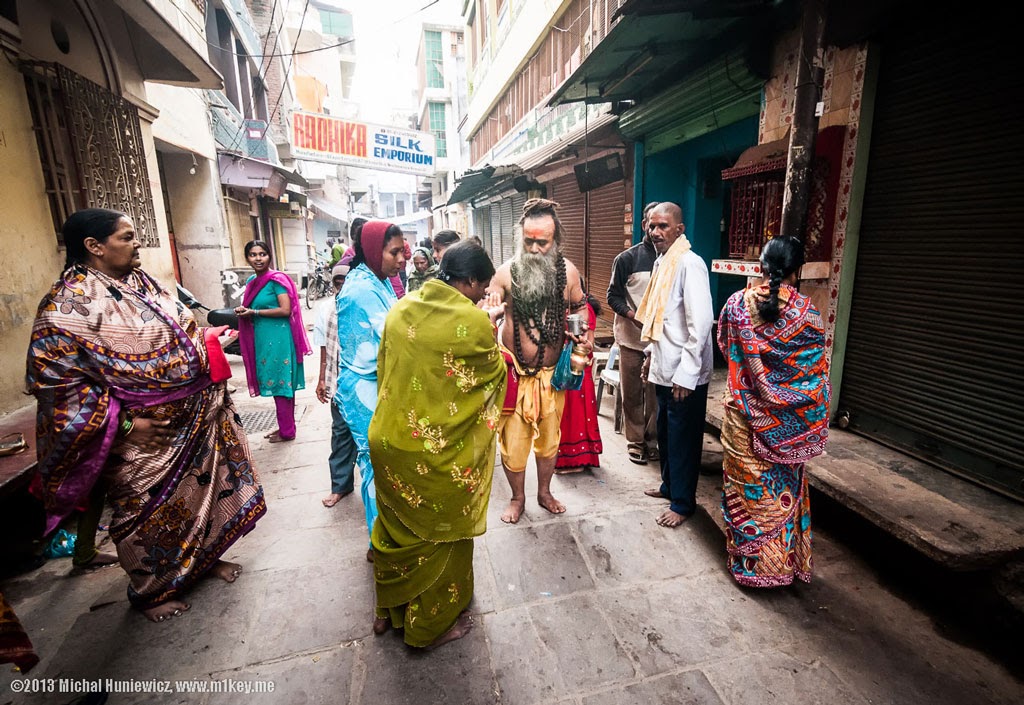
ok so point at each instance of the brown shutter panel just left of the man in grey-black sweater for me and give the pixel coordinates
(605, 239)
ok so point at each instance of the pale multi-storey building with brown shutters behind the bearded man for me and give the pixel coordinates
(521, 53)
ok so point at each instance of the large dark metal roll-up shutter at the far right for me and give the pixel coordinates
(932, 357)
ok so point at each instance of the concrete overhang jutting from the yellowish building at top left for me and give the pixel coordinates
(164, 56)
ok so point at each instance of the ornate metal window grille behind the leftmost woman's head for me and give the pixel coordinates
(91, 147)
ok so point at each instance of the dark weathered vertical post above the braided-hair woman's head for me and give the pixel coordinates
(810, 73)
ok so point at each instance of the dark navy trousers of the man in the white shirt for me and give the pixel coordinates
(680, 441)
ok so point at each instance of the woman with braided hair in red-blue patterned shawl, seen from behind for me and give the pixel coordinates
(777, 419)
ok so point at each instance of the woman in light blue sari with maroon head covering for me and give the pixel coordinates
(363, 305)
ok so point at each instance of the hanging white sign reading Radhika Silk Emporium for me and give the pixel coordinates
(327, 139)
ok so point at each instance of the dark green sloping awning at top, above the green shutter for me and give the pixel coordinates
(657, 42)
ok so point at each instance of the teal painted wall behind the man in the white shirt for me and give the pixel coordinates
(691, 176)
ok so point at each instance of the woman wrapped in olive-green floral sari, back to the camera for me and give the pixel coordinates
(433, 443)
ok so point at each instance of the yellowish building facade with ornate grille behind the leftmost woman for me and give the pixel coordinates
(79, 129)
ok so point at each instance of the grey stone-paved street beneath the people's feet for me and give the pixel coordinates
(599, 607)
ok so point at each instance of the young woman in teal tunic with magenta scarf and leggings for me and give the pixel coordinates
(273, 339)
